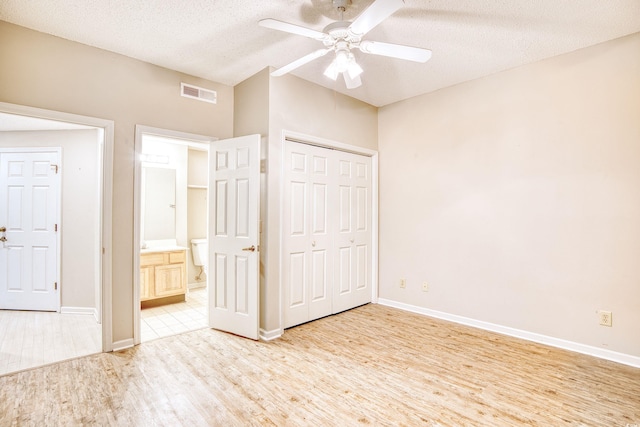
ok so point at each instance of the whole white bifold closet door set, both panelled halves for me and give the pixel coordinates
(327, 232)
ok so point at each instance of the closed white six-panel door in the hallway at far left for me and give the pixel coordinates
(29, 213)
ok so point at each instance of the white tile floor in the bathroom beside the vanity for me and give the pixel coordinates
(171, 319)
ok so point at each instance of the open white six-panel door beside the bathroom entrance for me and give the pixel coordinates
(234, 214)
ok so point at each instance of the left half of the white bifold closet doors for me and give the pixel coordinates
(307, 223)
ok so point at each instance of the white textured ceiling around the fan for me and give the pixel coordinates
(220, 40)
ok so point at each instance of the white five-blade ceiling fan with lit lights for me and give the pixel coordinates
(342, 37)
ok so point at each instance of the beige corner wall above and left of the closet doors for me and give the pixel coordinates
(270, 105)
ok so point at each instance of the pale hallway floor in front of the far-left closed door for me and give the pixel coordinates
(36, 338)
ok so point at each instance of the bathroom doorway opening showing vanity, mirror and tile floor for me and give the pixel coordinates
(171, 184)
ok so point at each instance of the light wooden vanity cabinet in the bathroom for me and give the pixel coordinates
(163, 277)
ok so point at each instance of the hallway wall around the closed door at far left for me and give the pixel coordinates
(80, 244)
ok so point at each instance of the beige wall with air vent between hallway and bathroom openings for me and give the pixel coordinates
(42, 71)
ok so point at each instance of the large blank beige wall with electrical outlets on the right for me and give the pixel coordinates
(516, 197)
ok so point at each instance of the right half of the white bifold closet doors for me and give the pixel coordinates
(353, 253)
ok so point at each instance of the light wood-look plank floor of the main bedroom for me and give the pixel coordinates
(373, 365)
